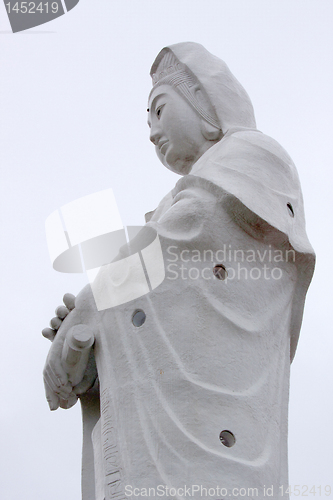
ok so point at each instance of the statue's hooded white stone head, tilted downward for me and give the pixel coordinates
(194, 101)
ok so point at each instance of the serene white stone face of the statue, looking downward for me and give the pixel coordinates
(176, 130)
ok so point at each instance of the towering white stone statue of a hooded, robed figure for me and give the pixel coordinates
(193, 377)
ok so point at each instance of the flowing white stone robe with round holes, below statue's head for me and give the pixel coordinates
(212, 354)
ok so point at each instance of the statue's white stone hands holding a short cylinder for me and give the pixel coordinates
(63, 381)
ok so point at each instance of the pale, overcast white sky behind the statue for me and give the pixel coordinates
(73, 122)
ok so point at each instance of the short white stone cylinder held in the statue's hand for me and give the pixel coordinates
(75, 353)
